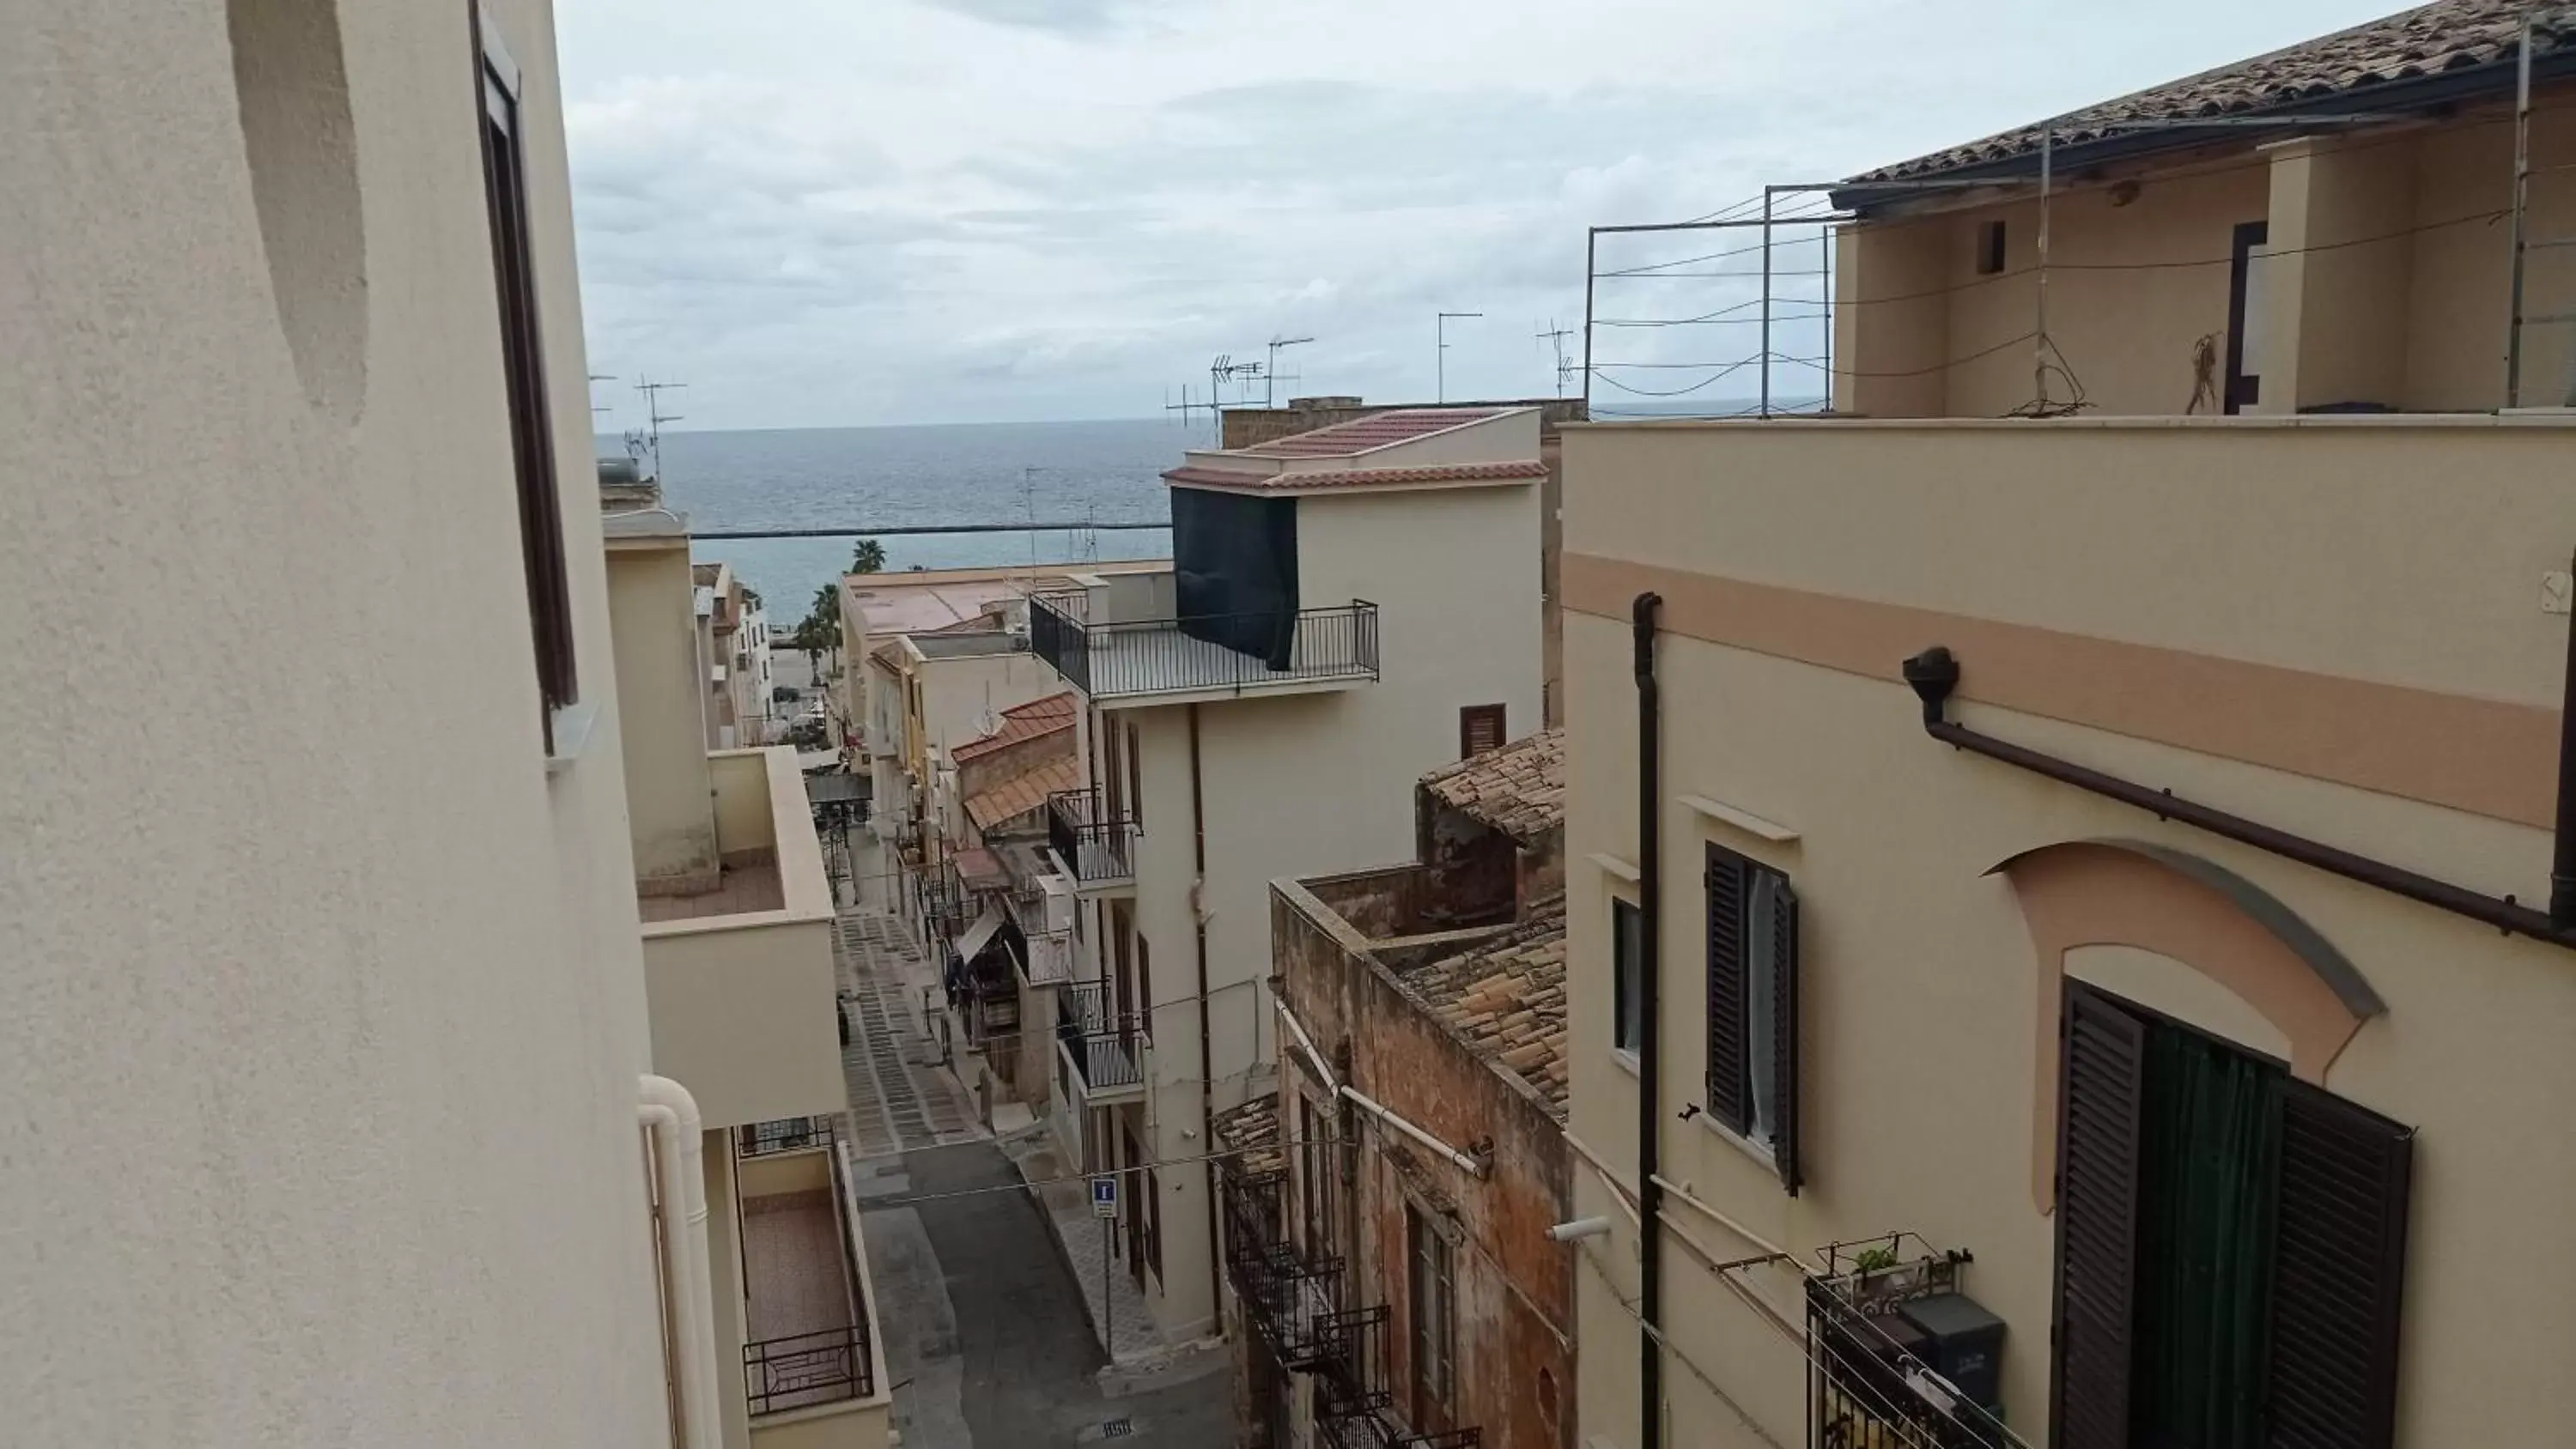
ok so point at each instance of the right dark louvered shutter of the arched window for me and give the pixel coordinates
(2338, 1273)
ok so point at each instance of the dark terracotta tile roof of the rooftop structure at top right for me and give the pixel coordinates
(2430, 40)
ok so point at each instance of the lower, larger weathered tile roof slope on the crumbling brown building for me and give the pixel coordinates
(1508, 1000)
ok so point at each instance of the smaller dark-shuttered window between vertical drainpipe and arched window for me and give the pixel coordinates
(1753, 1008)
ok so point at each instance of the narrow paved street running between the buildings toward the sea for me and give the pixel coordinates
(985, 1329)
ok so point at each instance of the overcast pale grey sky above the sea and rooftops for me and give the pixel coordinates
(849, 212)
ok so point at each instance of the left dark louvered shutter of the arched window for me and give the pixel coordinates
(2103, 1075)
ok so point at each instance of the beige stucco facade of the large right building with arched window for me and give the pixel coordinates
(2397, 555)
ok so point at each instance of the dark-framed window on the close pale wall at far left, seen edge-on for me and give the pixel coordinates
(524, 382)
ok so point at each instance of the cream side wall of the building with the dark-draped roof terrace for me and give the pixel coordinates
(1315, 784)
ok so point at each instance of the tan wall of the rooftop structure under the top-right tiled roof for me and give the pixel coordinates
(2387, 279)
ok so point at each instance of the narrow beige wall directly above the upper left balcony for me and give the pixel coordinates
(661, 701)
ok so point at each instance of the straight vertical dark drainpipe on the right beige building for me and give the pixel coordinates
(1650, 907)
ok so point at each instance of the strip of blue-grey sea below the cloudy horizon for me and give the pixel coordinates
(859, 477)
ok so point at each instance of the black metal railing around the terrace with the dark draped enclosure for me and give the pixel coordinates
(1204, 652)
